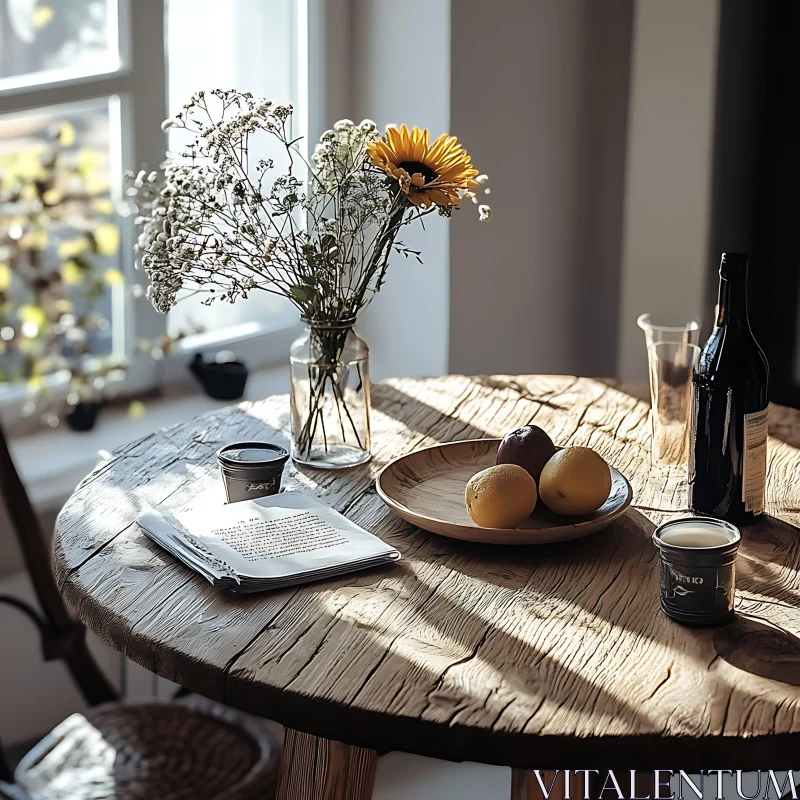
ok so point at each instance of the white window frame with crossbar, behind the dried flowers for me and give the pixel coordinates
(140, 84)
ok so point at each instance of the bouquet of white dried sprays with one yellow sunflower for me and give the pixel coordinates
(219, 223)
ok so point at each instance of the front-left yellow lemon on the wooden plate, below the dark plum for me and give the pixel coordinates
(501, 496)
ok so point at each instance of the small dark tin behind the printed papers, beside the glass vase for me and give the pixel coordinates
(251, 469)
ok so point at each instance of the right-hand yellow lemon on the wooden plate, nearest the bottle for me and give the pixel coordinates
(576, 480)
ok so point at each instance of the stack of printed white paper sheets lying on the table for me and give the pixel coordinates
(263, 544)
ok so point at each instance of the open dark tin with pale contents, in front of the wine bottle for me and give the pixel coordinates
(698, 583)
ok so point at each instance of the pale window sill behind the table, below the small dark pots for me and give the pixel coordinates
(52, 462)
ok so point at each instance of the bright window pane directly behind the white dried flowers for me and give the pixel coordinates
(253, 47)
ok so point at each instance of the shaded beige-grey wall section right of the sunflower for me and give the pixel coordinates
(540, 96)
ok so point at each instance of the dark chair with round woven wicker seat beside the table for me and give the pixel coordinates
(145, 750)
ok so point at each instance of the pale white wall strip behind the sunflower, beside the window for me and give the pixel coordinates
(401, 73)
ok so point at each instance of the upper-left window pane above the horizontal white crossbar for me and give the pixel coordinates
(37, 37)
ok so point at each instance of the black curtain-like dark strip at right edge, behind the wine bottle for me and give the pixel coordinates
(755, 200)
